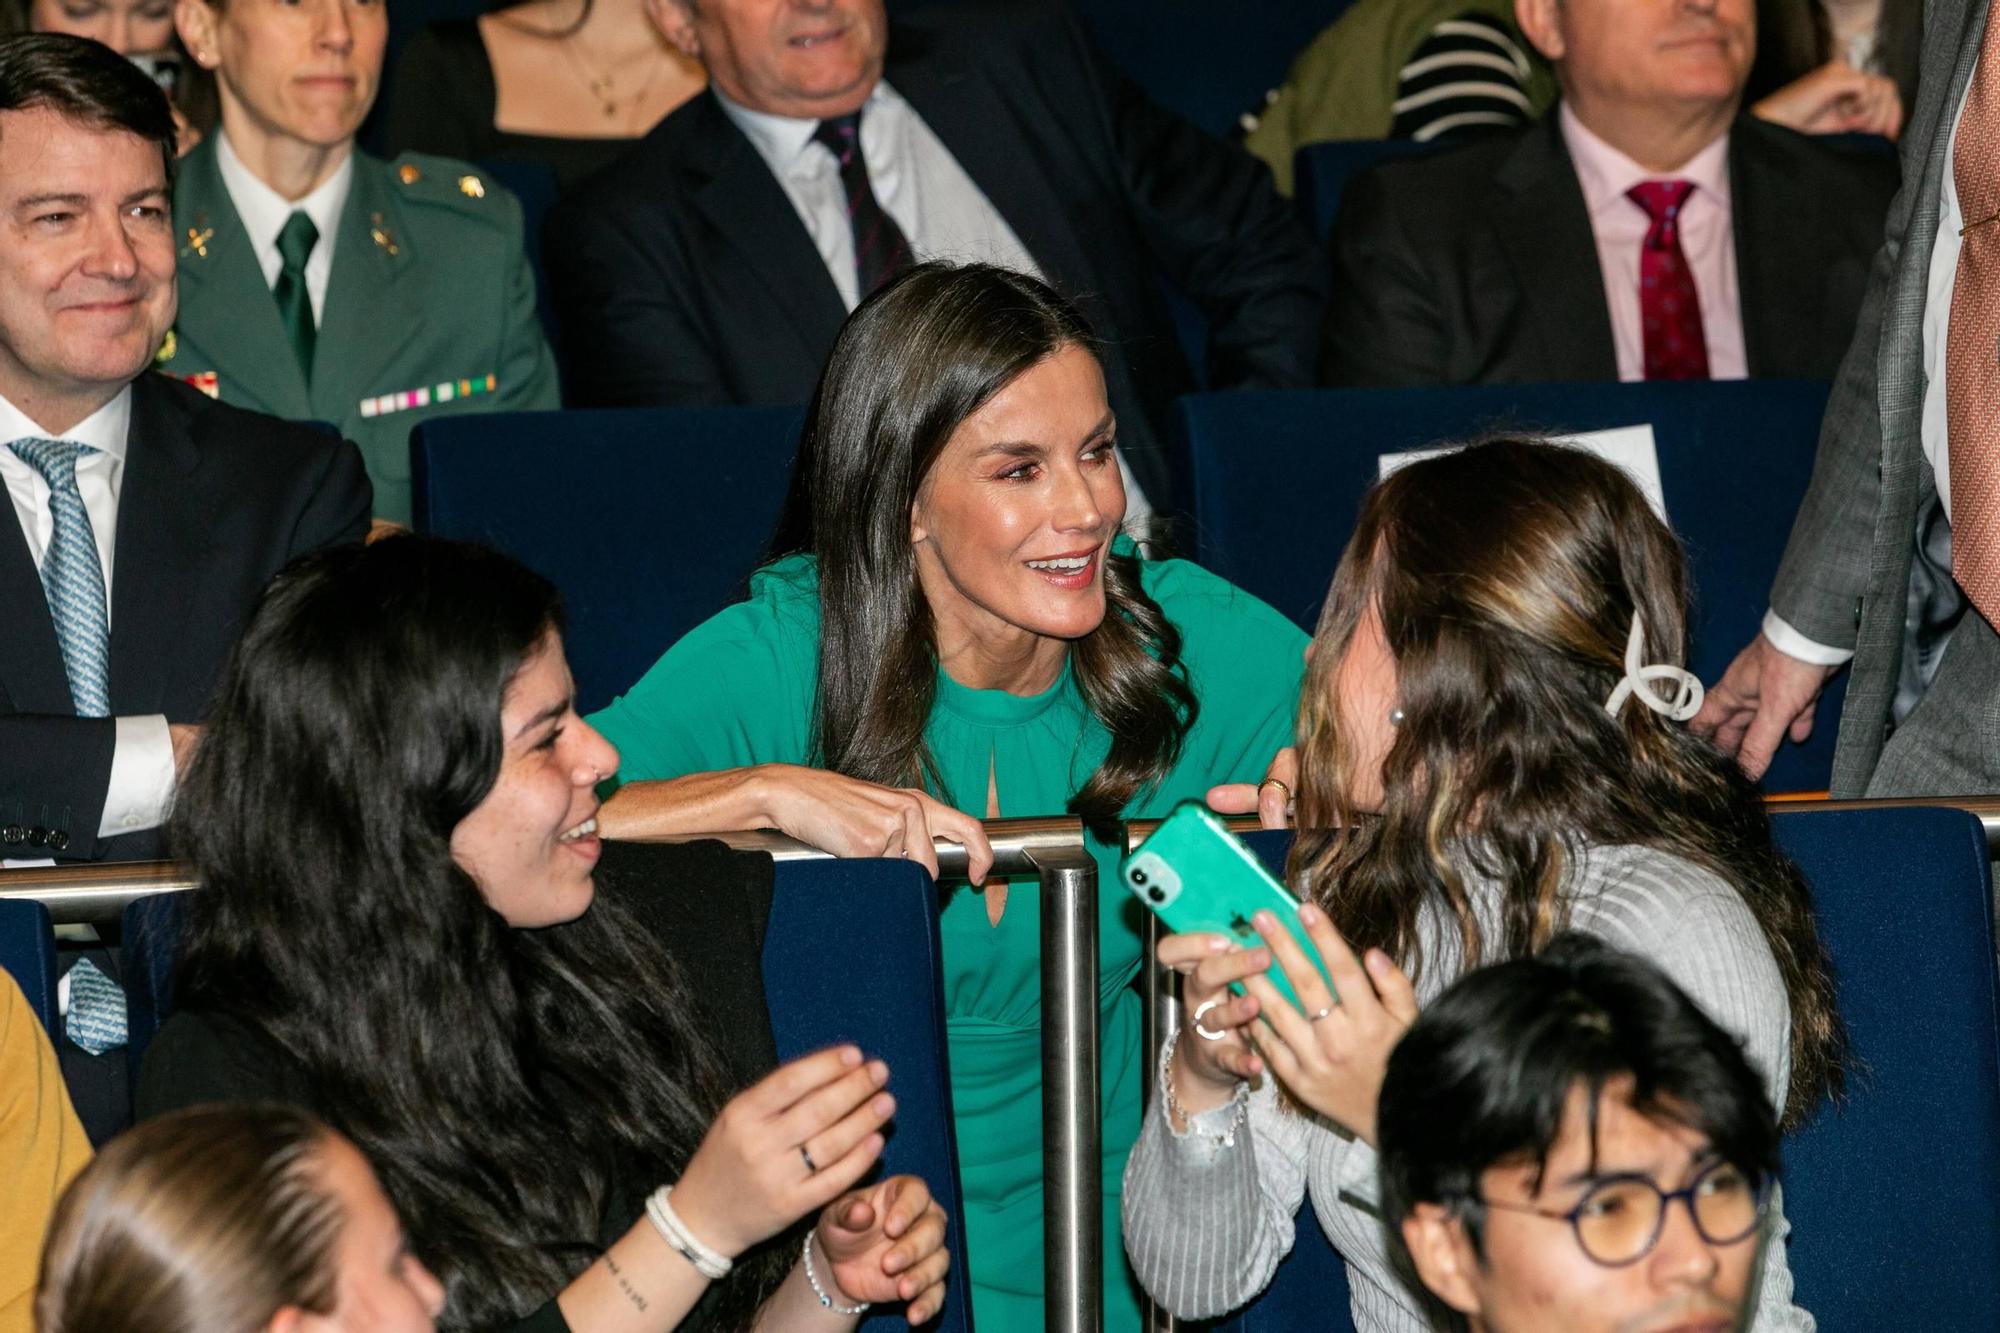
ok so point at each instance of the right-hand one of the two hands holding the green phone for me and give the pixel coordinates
(1333, 1056)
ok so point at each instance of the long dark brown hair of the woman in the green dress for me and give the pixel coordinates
(913, 363)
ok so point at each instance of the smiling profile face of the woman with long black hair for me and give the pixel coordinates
(533, 844)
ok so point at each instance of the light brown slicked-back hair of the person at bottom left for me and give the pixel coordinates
(207, 1220)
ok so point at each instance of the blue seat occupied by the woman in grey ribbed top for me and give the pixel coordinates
(1893, 1194)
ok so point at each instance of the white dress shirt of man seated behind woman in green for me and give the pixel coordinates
(943, 213)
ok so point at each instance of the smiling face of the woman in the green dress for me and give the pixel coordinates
(1015, 517)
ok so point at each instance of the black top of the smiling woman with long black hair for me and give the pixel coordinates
(703, 902)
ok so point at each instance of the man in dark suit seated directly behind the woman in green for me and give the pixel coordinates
(719, 259)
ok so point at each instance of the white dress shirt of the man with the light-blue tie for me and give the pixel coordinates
(143, 758)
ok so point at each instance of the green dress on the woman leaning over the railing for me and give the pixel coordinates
(739, 692)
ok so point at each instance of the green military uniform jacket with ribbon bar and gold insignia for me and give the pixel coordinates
(429, 309)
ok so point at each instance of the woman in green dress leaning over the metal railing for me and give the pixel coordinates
(969, 637)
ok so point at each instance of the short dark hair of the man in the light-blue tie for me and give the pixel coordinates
(87, 83)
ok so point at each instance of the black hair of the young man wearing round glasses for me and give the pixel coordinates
(1483, 1076)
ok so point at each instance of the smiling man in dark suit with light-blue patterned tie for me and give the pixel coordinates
(143, 517)
